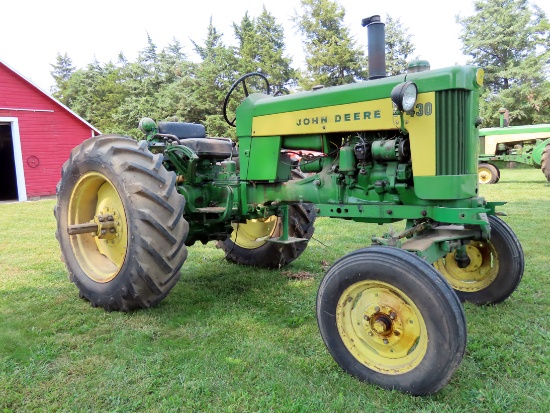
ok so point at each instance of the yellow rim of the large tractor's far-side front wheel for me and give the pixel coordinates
(481, 271)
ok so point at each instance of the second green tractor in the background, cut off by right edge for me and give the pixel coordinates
(527, 144)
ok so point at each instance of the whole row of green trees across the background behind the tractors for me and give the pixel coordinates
(508, 38)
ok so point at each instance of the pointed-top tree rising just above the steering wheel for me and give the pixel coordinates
(261, 49)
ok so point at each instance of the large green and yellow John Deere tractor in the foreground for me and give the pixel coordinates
(389, 149)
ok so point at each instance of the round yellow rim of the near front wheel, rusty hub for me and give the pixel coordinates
(381, 327)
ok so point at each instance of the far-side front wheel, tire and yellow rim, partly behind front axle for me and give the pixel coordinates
(495, 268)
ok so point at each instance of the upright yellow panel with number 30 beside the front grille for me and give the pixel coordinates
(421, 128)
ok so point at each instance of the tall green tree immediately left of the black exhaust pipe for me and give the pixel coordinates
(331, 54)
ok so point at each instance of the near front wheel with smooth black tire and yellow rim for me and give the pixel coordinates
(387, 317)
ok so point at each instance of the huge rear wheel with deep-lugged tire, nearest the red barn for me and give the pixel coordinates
(134, 262)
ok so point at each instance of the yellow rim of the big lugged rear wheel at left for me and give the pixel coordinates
(93, 198)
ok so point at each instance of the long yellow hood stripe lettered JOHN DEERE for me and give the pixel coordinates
(369, 115)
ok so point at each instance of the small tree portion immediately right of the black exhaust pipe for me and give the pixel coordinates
(398, 47)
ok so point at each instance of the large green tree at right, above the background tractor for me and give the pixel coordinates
(510, 40)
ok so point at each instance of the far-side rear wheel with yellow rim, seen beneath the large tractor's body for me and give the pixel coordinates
(248, 243)
